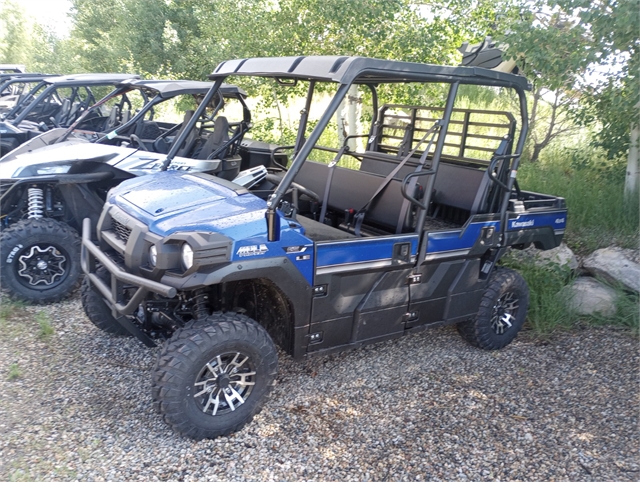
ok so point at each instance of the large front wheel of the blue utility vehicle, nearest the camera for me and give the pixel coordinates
(213, 376)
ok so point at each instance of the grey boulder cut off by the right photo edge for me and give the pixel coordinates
(615, 265)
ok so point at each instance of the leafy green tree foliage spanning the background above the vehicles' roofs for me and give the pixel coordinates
(557, 43)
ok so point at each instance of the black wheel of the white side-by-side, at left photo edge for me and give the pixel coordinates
(39, 260)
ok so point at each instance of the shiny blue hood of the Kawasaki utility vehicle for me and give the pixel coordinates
(170, 202)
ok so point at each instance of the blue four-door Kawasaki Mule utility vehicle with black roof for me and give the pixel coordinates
(355, 236)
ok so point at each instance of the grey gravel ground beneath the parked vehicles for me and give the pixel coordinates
(76, 405)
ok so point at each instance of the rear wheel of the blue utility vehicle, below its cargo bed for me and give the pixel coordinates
(502, 312)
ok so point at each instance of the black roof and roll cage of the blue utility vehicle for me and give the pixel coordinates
(347, 71)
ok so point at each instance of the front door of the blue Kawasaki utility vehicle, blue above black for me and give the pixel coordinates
(361, 289)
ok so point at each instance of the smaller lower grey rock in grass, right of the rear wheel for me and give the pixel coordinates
(587, 296)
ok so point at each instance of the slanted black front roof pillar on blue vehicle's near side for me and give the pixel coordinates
(299, 159)
